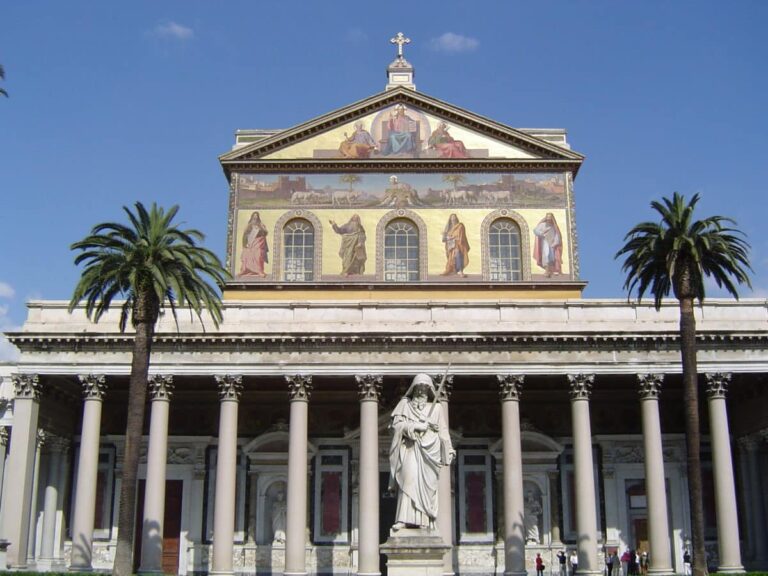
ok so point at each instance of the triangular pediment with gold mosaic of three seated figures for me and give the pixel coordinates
(399, 125)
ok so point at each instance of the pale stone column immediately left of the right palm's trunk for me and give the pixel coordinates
(655, 483)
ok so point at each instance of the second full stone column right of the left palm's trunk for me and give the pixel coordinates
(230, 389)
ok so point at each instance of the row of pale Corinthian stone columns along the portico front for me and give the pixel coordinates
(17, 500)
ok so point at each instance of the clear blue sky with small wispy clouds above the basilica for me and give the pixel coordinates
(116, 102)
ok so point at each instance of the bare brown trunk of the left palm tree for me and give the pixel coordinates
(137, 397)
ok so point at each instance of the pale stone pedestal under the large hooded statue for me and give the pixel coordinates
(414, 552)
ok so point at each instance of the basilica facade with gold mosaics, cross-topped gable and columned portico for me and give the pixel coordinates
(396, 236)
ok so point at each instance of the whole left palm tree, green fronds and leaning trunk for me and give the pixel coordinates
(150, 263)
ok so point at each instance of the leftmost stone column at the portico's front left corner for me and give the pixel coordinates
(21, 462)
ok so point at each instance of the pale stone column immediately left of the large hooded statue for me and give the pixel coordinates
(368, 523)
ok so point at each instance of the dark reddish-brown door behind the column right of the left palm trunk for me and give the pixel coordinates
(171, 525)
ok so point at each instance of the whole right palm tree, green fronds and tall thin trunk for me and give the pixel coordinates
(677, 254)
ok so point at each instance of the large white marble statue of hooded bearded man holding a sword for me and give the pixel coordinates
(421, 444)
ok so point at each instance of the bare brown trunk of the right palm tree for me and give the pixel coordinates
(692, 433)
